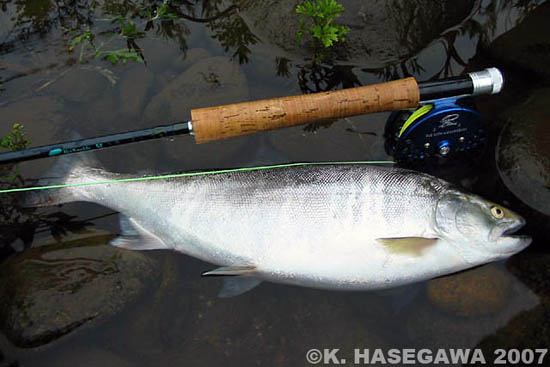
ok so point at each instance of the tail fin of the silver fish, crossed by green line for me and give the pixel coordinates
(66, 170)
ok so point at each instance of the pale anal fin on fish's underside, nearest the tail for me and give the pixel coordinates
(135, 237)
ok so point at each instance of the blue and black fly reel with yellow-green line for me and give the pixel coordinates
(442, 131)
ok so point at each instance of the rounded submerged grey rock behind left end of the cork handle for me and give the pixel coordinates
(208, 82)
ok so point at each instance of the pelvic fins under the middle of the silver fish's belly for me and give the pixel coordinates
(238, 279)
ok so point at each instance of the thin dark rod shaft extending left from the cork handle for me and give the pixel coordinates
(75, 146)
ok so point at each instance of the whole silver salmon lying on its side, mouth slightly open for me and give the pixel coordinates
(330, 226)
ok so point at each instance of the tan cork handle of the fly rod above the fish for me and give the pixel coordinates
(222, 122)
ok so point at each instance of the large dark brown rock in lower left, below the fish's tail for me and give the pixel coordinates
(50, 291)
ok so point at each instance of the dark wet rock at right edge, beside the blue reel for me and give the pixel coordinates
(523, 151)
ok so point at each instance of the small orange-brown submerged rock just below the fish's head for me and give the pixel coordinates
(477, 292)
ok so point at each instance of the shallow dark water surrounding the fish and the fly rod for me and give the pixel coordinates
(54, 92)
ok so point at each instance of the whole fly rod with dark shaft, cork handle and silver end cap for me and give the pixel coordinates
(222, 122)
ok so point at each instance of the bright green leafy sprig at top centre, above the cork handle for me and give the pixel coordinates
(323, 30)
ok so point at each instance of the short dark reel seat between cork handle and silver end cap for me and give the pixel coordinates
(451, 87)
